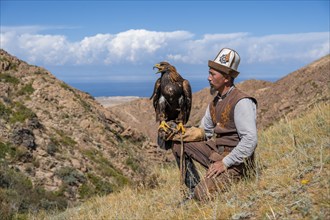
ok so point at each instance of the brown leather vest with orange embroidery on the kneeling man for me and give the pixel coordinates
(222, 113)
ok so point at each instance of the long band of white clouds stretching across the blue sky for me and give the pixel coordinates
(143, 46)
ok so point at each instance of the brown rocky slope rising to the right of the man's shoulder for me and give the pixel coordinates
(295, 93)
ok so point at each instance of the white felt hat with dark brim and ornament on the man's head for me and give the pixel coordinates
(226, 61)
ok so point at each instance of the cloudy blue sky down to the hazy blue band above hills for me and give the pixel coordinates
(87, 43)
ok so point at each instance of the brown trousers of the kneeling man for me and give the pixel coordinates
(205, 153)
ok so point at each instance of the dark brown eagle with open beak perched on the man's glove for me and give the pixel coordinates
(171, 97)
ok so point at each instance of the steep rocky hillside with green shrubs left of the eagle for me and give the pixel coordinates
(58, 144)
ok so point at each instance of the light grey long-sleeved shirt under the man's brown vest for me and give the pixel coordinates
(245, 116)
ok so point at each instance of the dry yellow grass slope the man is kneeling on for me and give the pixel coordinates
(293, 160)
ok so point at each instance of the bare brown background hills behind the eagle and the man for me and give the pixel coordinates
(287, 97)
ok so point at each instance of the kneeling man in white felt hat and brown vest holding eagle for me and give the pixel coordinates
(230, 130)
